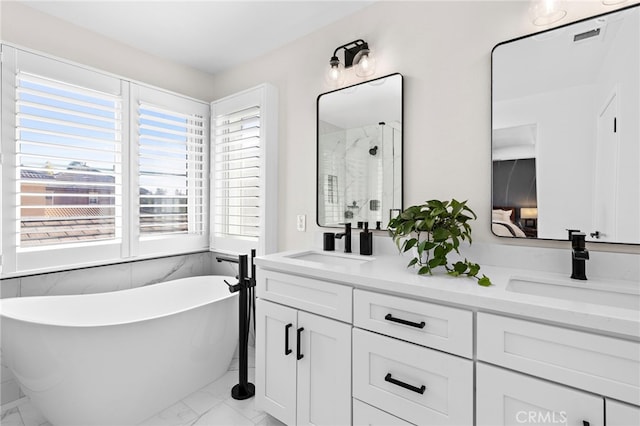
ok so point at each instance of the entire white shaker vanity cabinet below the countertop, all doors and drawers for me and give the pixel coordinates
(327, 353)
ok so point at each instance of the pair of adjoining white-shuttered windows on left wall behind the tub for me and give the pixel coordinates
(97, 169)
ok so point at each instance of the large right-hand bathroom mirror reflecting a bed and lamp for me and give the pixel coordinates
(566, 133)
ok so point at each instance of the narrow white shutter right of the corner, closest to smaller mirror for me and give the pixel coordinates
(244, 171)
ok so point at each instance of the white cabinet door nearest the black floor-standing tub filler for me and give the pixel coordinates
(276, 360)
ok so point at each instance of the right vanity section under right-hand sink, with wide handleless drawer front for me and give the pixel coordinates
(575, 374)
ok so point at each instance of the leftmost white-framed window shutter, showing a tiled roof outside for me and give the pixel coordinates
(62, 157)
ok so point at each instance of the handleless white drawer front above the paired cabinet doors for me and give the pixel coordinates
(320, 297)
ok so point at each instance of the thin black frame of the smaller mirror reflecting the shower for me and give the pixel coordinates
(401, 208)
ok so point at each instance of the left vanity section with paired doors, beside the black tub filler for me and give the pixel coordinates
(303, 360)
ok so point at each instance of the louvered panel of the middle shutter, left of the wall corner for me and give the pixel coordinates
(171, 171)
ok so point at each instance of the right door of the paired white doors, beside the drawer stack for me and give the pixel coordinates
(324, 371)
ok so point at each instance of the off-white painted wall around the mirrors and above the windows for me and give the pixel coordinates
(443, 48)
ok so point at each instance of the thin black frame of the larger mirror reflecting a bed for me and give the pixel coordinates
(589, 18)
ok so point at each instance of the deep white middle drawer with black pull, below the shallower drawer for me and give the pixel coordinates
(390, 374)
